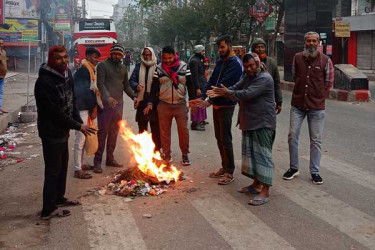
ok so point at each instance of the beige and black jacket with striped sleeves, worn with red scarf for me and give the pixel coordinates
(162, 86)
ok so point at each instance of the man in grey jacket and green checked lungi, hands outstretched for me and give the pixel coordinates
(257, 120)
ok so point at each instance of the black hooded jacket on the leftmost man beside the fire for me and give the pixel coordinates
(56, 105)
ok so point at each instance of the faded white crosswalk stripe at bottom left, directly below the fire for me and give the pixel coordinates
(112, 226)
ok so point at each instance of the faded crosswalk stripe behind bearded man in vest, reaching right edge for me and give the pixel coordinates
(352, 173)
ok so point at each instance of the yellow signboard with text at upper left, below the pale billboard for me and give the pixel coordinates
(19, 29)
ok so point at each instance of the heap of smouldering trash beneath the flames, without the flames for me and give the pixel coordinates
(132, 182)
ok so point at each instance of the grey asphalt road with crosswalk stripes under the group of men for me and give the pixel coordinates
(199, 214)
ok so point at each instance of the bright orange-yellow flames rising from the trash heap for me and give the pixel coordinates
(148, 160)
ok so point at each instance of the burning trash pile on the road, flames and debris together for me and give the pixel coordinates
(150, 175)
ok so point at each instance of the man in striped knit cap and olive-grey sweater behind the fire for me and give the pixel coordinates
(112, 80)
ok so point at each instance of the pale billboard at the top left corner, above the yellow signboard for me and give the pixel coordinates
(22, 8)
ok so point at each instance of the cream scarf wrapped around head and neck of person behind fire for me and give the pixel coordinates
(142, 73)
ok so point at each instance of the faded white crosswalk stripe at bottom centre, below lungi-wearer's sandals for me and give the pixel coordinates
(247, 231)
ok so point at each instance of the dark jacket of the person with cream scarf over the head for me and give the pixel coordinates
(134, 81)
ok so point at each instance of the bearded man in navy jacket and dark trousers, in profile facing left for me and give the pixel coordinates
(227, 72)
